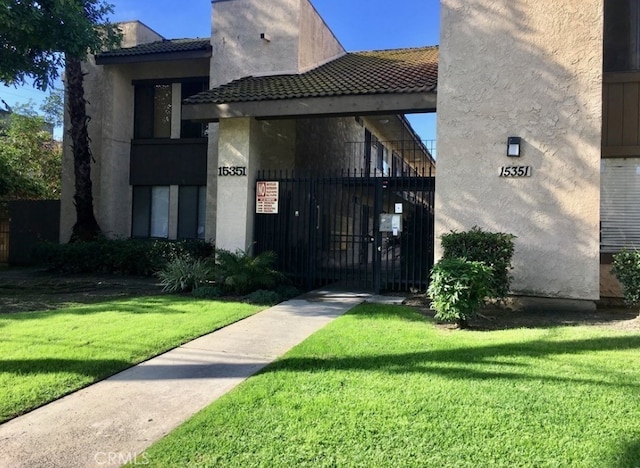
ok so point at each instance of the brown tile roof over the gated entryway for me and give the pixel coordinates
(404, 71)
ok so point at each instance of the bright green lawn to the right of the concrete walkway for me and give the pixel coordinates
(383, 387)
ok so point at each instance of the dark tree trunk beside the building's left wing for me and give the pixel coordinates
(86, 227)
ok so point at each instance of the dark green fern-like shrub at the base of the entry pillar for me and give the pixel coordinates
(241, 273)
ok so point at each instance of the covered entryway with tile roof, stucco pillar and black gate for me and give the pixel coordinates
(370, 226)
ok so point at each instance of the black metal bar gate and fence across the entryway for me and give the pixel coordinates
(372, 232)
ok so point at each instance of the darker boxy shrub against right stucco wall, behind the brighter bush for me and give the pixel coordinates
(494, 249)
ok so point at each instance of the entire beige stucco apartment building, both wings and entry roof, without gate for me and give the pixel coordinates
(560, 77)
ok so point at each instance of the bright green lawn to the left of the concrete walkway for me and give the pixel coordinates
(44, 355)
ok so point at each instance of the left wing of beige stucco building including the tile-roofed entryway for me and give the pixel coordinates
(180, 129)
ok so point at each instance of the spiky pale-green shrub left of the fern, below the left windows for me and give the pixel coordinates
(184, 274)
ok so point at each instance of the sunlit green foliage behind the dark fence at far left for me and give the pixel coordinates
(30, 160)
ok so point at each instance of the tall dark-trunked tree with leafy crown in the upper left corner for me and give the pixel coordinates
(36, 38)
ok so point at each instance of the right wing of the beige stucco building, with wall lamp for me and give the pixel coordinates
(564, 78)
